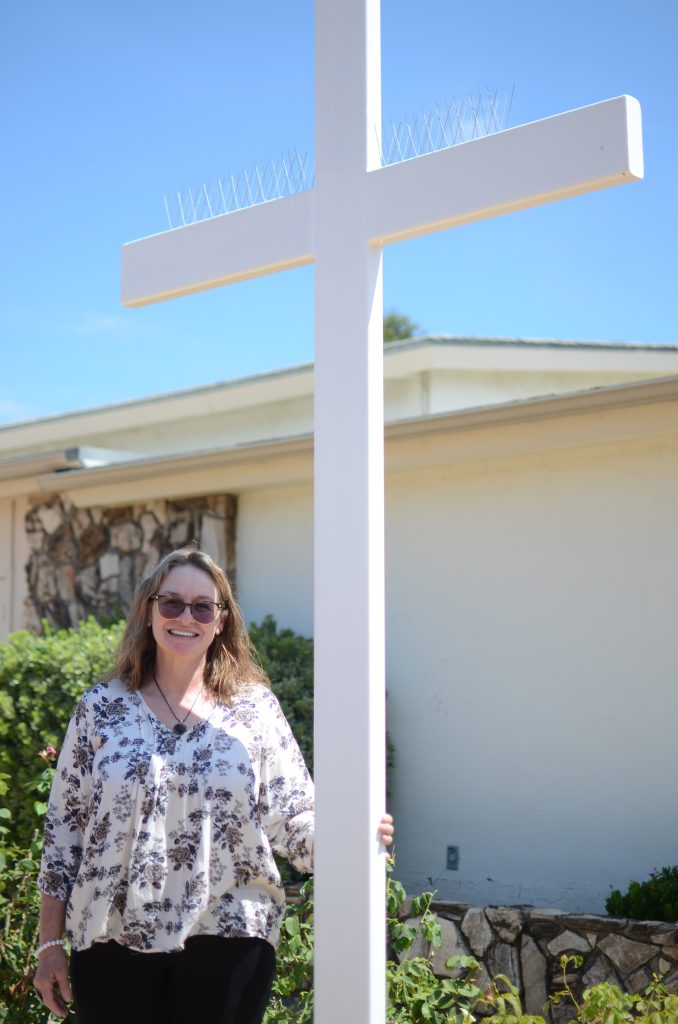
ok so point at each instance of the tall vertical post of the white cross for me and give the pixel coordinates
(350, 747)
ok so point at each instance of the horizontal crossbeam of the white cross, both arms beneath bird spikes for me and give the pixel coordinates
(558, 158)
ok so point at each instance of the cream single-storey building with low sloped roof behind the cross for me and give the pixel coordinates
(532, 490)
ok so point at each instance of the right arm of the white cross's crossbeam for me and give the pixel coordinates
(561, 157)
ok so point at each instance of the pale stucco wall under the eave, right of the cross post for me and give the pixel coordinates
(532, 664)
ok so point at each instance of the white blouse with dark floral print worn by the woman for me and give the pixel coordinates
(152, 838)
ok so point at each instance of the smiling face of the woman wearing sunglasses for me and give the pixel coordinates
(183, 637)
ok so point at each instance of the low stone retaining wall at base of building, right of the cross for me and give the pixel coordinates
(526, 944)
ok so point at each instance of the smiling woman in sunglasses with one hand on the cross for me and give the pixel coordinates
(178, 781)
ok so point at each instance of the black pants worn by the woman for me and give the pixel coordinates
(211, 982)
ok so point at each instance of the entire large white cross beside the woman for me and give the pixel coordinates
(355, 209)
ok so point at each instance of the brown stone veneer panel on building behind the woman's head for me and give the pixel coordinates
(89, 562)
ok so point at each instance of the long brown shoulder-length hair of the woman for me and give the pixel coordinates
(232, 661)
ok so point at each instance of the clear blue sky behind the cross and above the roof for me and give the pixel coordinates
(107, 107)
